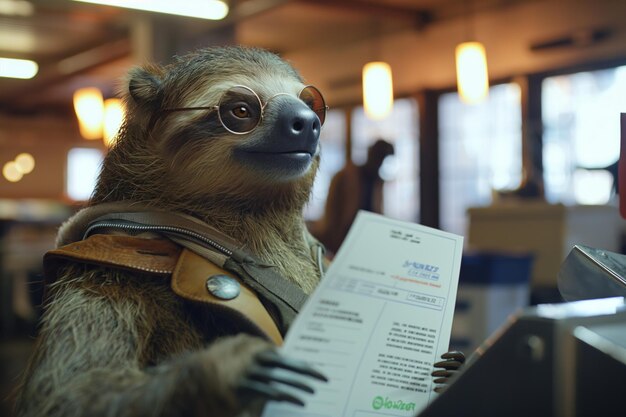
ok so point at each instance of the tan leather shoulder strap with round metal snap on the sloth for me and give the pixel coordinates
(158, 256)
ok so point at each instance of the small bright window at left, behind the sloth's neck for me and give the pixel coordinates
(83, 167)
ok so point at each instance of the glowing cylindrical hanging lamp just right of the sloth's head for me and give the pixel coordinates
(377, 90)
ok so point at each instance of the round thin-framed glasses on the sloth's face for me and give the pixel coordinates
(240, 110)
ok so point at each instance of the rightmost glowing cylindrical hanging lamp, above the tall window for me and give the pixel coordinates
(471, 72)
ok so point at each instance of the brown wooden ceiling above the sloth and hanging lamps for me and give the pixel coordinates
(78, 44)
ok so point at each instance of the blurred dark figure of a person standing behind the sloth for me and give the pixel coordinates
(353, 188)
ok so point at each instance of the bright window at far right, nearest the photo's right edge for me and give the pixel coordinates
(581, 114)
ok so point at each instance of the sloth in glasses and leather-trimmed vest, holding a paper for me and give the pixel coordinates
(223, 142)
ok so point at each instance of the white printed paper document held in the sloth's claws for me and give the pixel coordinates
(378, 321)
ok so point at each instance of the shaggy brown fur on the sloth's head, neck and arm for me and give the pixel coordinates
(113, 343)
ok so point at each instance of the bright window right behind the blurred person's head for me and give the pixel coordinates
(401, 128)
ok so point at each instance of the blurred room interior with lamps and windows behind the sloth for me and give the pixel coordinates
(524, 170)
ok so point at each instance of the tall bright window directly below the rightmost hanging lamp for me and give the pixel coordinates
(480, 150)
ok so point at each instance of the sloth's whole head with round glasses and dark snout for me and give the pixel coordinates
(233, 119)
